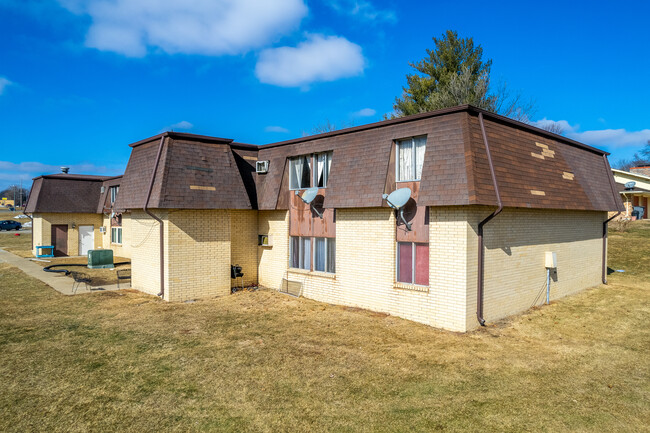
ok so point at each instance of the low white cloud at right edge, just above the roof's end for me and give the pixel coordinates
(610, 138)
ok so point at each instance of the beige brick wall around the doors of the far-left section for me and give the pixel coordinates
(42, 229)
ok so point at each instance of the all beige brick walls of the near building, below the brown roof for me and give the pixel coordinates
(199, 252)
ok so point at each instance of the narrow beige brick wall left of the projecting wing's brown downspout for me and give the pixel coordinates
(144, 244)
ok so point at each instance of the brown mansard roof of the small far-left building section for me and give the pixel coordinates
(66, 193)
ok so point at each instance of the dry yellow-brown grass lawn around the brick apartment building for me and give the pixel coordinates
(263, 361)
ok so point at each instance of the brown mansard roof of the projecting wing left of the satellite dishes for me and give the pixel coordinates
(195, 172)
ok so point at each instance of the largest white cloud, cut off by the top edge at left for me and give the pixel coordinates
(206, 27)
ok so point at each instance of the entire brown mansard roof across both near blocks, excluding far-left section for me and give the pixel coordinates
(534, 168)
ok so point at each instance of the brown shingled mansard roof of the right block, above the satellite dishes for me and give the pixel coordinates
(534, 168)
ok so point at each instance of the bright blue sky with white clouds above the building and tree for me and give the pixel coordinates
(81, 79)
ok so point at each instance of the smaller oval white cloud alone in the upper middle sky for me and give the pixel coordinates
(320, 58)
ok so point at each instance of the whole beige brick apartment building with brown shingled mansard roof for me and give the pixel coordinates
(489, 197)
